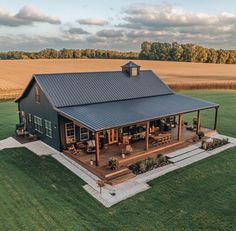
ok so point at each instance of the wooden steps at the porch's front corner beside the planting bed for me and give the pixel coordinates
(119, 176)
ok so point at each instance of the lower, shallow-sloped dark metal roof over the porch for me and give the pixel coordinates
(114, 114)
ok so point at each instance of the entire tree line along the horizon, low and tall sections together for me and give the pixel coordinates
(149, 51)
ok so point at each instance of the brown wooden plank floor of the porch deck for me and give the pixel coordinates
(139, 152)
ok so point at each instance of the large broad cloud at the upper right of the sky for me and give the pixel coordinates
(167, 16)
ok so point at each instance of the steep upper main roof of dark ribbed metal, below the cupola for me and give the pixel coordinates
(70, 89)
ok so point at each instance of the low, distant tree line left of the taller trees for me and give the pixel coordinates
(69, 54)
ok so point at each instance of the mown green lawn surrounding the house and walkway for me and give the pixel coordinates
(37, 193)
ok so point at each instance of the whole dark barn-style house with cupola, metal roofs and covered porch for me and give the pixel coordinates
(128, 114)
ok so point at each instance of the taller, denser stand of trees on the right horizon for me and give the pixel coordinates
(185, 53)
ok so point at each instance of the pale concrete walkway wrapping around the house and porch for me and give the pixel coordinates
(111, 195)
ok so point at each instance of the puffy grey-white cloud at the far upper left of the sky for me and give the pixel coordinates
(27, 15)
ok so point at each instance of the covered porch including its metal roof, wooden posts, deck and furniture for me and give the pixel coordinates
(132, 130)
